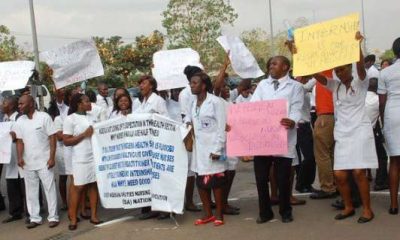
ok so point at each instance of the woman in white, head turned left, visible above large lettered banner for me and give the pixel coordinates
(151, 103)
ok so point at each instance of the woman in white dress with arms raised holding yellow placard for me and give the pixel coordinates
(354, 140)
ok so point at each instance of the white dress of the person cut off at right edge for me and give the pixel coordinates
(389, 83)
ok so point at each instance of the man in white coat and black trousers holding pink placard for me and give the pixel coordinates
(278, 86)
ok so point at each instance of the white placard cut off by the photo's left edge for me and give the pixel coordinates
(15, 74)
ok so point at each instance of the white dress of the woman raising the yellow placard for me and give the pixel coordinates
(354, 138)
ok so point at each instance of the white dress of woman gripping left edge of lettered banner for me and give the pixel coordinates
(83, 164)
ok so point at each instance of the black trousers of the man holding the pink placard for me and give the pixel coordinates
(282, 167)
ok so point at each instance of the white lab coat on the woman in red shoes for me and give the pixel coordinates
(209, 121)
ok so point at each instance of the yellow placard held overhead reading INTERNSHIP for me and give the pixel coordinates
(326, 45)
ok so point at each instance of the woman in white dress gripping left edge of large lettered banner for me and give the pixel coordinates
(77, 132)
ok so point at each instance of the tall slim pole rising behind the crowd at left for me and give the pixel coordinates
(36, 53)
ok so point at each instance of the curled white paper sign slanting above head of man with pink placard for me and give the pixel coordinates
(242, 60)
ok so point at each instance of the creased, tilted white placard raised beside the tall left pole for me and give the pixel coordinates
(74, 63)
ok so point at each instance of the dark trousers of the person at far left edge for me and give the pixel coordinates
(16, 196)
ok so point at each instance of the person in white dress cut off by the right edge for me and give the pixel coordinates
(389, 104)
